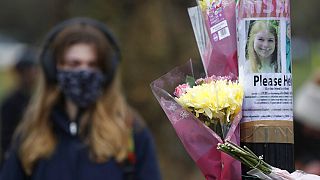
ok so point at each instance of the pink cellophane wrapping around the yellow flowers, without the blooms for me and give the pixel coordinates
(198, 139)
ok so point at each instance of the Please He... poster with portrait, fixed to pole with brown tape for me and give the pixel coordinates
(264, 58)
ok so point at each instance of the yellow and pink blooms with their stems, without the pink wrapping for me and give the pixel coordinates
(215, 101)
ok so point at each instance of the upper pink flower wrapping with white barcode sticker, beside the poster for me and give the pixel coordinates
(214, 25)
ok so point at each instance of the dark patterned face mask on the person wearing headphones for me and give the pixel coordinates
(82, 87)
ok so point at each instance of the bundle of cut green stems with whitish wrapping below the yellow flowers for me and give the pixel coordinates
(260, 168)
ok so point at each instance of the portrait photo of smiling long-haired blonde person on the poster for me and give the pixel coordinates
(262, 46)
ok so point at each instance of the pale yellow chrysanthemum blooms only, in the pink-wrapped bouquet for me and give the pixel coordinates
(219, 99)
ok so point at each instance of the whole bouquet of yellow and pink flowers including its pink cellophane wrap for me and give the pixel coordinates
(203, 112)
